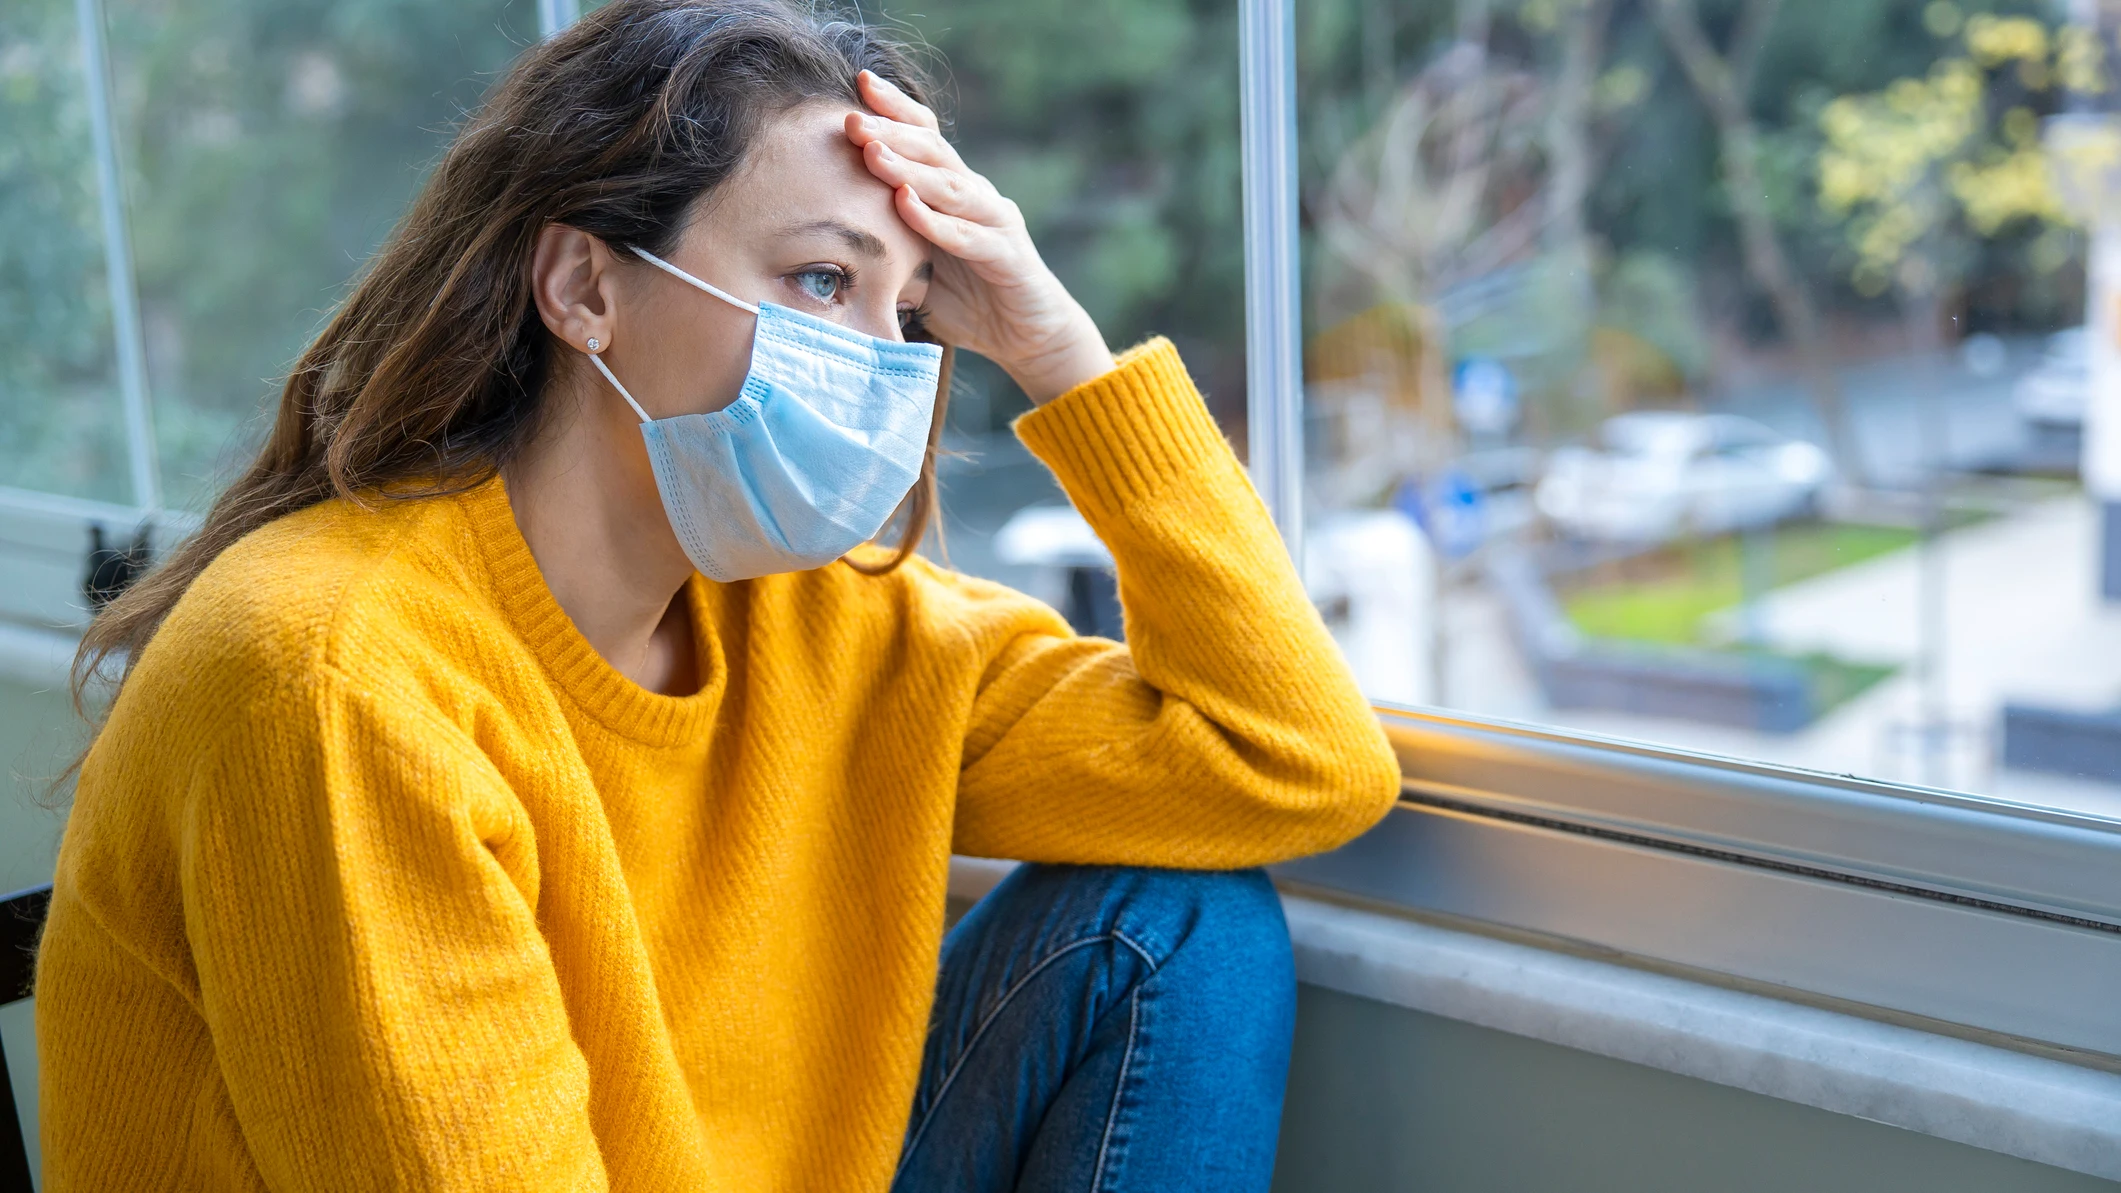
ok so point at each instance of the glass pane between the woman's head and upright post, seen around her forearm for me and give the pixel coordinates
(1115, 128)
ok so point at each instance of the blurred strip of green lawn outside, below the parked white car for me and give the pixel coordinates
(1664, 598)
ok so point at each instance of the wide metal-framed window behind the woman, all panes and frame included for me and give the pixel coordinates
(1687, 413)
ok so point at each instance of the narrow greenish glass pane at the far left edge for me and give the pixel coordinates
(60, 428)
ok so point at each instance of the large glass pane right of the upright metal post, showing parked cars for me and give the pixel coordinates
(1719, 375)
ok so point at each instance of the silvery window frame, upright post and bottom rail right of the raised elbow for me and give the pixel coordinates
(1935, 905)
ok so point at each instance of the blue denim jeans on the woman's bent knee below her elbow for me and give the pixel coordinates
(1108, 1031)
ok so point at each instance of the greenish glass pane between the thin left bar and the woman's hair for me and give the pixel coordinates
(268, 148)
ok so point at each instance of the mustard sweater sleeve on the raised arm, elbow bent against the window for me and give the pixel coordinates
(1227, 731)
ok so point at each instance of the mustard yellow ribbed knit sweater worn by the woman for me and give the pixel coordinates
(381, 878)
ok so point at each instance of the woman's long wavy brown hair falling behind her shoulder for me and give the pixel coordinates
(434, 370)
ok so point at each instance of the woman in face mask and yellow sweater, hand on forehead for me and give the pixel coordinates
(514, 789)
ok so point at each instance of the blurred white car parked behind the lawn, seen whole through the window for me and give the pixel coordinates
(1660, 474)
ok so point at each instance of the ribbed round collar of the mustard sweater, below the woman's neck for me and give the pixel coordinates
(574, 665)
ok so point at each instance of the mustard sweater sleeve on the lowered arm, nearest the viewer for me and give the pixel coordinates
(360, 897)
